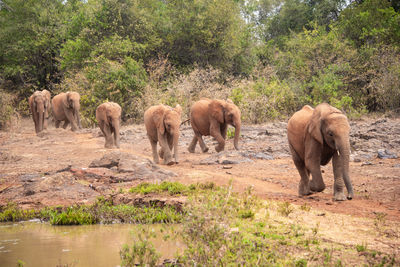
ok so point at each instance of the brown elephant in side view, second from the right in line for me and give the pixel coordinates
(211, 117)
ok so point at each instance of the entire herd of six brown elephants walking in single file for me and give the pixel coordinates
(315, 136)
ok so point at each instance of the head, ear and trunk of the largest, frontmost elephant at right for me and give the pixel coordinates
(330, 126)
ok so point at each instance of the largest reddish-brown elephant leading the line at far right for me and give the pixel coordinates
(315, 137)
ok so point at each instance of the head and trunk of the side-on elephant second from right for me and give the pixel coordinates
(226, 112)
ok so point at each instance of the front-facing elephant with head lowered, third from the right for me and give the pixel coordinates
(162, 125)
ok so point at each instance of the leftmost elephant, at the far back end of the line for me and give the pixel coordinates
(38, 106)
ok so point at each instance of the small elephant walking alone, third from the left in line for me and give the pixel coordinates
(108, 116)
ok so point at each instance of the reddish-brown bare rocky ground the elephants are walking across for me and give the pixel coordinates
(60, 167)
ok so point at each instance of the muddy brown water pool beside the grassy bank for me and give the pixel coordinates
(41, 244)
